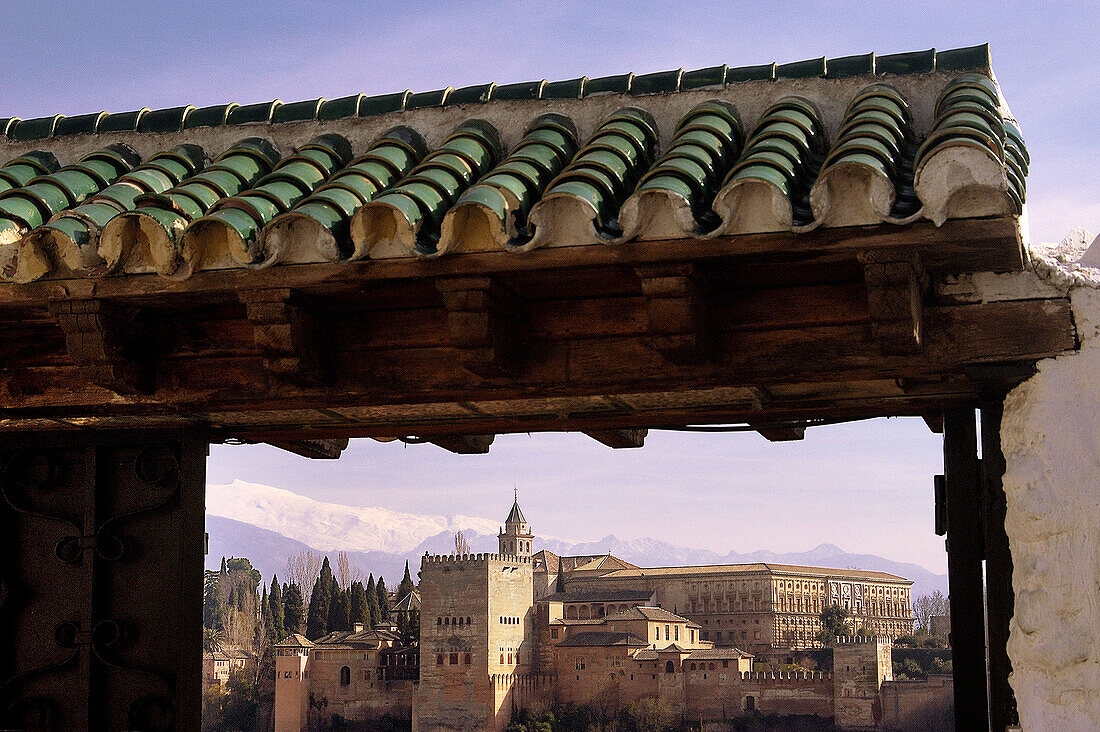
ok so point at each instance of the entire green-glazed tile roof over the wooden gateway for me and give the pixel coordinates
(720, 151)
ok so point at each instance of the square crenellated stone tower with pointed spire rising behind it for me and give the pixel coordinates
(476, 633)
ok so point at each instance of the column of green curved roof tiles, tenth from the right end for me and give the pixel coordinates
(148, 239)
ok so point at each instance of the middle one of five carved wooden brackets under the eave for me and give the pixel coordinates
(482, 323)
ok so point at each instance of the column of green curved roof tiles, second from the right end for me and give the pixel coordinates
(870, 162)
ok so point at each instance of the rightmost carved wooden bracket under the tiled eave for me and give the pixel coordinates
(896, 285)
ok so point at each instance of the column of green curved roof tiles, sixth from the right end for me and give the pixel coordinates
(493, 214)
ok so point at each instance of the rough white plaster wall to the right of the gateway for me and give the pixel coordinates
(1051, 436)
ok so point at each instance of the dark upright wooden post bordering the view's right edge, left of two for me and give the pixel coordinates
(965, 571)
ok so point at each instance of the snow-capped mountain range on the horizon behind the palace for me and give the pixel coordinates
(269, 525)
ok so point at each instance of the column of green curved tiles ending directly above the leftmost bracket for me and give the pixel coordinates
(71, 241)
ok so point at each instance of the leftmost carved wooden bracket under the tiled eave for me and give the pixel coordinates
(103, 340)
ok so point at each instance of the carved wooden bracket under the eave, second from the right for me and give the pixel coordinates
(677, 311)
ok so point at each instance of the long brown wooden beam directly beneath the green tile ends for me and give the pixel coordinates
(959, 246)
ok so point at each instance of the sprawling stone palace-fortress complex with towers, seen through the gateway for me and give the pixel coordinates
(519, 629)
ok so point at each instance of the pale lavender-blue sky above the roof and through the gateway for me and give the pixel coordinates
(866, 487)
